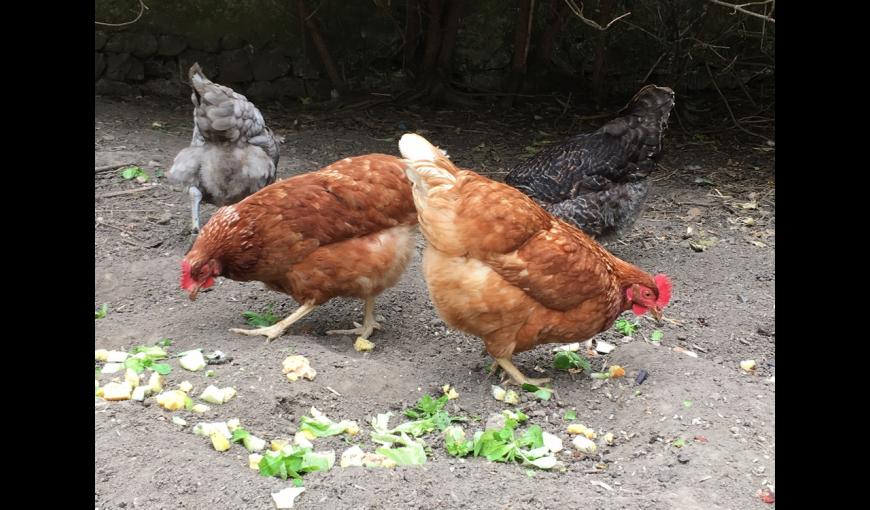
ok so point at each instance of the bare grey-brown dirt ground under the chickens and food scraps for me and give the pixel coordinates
(723, 310)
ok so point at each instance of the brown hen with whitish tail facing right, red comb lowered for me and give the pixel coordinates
(500, 267)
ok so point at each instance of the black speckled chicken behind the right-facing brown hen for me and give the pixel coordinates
(599, 181)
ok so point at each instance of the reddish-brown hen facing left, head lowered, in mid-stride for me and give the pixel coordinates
(344, 230)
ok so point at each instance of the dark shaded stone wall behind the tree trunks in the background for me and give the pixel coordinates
(257, 48)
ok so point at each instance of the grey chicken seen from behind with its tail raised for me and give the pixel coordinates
(232, 154)
